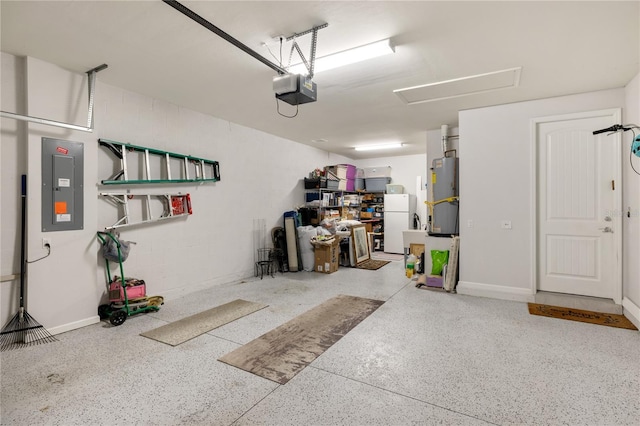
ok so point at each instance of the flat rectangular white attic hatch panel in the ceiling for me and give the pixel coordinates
(448, 89)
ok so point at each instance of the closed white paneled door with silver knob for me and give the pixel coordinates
(578, 209)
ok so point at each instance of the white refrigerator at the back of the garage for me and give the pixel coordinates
(398, 216)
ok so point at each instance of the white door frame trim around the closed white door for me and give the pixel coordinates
(616, 214)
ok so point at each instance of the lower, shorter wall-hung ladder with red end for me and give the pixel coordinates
(169, 206)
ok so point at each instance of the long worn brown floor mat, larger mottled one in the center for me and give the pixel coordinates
(284, 351)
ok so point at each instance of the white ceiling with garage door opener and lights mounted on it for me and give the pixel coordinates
(562, 47)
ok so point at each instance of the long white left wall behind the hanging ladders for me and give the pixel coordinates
(261, 179)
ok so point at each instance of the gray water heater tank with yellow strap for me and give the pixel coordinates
(444, 181)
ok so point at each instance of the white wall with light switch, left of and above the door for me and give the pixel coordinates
(495, 184)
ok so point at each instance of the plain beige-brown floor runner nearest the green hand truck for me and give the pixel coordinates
(187, 328)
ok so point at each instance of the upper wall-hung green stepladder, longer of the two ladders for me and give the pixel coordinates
(191, 169)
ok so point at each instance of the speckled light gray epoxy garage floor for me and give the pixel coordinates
(424, 357)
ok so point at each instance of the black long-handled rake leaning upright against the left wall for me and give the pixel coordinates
(23, 330)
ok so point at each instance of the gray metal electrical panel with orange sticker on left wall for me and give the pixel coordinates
(62, 185)
